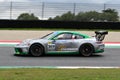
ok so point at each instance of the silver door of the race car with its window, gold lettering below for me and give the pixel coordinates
(64, 43)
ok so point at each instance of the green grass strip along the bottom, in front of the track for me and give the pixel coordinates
(59, 74)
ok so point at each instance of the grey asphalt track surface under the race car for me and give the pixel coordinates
(110, 57)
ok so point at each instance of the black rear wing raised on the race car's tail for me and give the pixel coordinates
(100, 35)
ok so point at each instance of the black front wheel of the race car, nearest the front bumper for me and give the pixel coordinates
(36, 50)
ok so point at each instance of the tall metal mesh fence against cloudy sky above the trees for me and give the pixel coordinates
(11, 10)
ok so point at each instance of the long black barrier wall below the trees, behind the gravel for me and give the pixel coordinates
(58, 24)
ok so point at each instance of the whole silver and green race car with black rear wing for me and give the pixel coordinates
(63, 42)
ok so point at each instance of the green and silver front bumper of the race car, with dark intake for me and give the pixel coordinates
(21, 50)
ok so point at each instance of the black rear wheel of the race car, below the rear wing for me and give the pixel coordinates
(86, 50)
